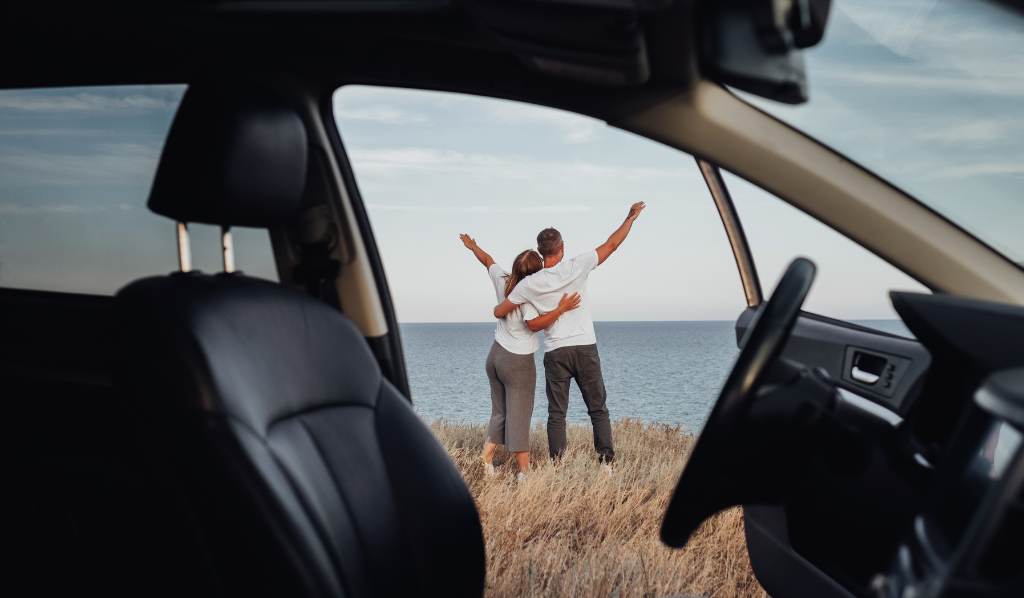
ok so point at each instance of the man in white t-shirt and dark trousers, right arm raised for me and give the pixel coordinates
(571, 346)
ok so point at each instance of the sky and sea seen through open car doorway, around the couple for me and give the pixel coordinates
(432, 166)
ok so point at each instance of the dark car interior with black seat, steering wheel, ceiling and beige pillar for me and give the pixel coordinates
(215, 434)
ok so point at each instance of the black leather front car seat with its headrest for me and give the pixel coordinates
(308, 474)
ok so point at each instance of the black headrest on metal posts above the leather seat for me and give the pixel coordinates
(234, 157)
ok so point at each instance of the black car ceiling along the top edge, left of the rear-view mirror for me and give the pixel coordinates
(176, 44)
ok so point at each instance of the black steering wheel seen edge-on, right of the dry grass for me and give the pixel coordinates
(710, 482)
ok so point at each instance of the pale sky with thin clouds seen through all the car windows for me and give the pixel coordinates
(928, 94)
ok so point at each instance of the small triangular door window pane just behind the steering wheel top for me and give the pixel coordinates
(852, 284)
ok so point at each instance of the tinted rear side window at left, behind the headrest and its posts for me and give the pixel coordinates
(76, 166)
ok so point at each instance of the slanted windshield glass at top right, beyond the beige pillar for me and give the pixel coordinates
(930, 96)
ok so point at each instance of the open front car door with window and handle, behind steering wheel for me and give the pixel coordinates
(863, 347)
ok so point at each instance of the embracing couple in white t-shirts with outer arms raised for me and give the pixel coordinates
(545, 292)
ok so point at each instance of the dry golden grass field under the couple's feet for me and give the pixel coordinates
(571, 531)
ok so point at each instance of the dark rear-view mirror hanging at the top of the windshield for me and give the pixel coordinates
(755, 46)
